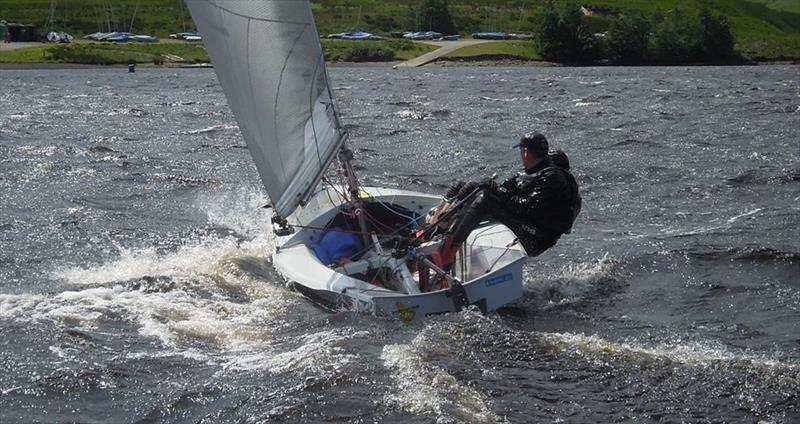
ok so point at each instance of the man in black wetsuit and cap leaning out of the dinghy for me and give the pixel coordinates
(538, 205)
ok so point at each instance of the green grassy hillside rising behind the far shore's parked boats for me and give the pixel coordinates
(763, 29)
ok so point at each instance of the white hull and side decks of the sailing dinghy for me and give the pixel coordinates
(489, 266)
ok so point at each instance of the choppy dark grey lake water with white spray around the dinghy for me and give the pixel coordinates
(135, 284)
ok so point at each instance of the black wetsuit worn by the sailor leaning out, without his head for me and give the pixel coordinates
(538, 205)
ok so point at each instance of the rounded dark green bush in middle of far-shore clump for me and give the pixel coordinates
(628, 39)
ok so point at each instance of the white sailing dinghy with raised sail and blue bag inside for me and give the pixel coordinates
(345, 245)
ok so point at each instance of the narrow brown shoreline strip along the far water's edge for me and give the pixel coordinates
(494, 63)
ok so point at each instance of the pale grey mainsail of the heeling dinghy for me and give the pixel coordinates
(268, 59)
